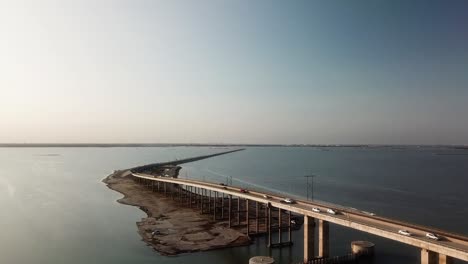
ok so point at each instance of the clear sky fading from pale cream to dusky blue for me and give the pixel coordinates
(266, 71)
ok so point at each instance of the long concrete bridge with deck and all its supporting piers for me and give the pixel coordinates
(258, 207)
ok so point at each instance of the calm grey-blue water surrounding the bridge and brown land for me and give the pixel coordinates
(56, 210)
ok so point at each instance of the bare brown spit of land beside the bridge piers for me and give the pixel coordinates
(169, 228)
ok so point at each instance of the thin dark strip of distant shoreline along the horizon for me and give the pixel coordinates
(215, 145)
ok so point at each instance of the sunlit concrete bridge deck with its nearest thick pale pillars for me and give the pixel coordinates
(432, 251)
